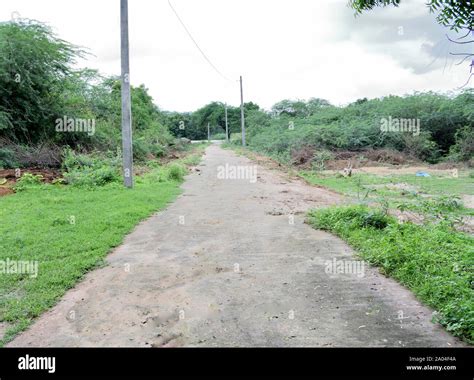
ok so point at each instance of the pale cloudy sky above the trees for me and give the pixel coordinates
(293, 49)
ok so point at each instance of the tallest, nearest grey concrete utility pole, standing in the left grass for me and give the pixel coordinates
(126, 106)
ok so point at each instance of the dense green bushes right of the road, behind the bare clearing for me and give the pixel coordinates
(446, 127)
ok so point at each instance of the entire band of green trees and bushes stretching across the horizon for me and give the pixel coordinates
(47, 105)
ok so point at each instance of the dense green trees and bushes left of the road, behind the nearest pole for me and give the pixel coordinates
(39, 88)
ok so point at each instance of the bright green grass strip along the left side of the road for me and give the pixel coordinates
(36, 226)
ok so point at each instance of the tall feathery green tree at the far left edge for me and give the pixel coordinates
(34, 65)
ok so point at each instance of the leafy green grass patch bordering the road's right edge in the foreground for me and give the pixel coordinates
(432, 260)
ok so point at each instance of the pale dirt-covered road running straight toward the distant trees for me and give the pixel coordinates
(231, 263)
